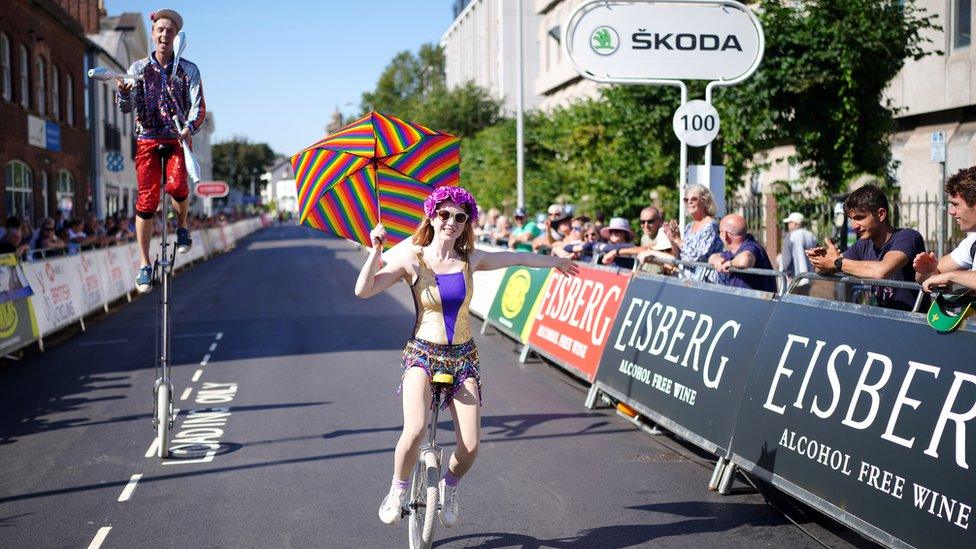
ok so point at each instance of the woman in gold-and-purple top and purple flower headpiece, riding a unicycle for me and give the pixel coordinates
(437, 264)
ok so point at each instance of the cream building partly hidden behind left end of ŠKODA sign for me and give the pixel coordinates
(557, 83)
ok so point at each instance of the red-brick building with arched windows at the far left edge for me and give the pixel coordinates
(44, 145)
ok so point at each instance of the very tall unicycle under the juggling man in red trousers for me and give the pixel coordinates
(162, 269)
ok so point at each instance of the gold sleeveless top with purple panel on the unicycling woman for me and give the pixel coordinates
(441, 319)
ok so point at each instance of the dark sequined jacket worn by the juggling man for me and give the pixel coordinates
(157, 98)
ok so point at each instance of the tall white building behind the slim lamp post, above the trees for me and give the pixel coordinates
(480, 46)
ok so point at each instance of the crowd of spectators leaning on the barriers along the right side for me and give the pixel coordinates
(732, 254)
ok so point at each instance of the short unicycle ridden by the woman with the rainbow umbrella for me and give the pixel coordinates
(424, 492)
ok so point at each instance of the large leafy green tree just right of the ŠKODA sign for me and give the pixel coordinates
(821, 87)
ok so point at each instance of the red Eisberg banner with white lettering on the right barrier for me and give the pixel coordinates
(572, 324)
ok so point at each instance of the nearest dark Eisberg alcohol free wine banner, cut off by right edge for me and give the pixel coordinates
(873, 415)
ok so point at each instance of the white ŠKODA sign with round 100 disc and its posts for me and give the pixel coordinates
(664, 43)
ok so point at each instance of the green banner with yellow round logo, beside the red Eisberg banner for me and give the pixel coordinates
(516, 300)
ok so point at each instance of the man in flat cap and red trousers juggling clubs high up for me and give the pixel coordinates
(163, 91)
